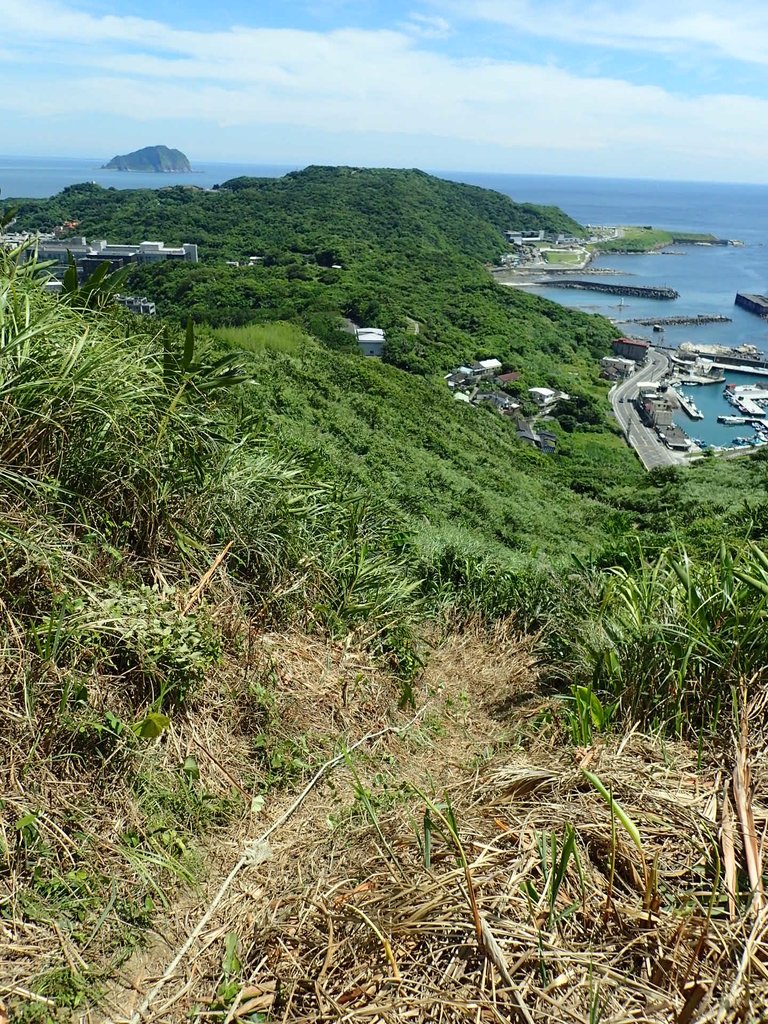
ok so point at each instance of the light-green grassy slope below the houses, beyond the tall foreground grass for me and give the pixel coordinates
(431, 458)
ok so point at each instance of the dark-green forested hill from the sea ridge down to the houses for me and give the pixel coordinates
(409, 247)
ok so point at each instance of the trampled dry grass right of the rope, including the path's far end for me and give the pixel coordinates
(350, 921)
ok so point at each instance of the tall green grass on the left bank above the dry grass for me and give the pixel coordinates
(120, 450)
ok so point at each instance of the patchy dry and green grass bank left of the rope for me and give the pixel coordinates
(118, 834)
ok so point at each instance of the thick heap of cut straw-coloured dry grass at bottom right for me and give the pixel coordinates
(353, 926)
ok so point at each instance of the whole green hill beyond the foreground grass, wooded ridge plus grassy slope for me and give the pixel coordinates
(405, 251)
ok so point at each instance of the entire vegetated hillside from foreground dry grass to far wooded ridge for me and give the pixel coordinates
(323, 698)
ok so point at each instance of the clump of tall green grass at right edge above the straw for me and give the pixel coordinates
(677, 642)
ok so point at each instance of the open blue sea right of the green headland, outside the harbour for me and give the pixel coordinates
(708, 278)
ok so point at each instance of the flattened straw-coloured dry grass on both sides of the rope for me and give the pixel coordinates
(347, 917)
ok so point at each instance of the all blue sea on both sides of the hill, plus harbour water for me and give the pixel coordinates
(707, 278)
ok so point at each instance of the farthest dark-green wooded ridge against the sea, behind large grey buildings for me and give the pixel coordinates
(314, 211)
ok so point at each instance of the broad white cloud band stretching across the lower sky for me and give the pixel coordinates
(368, 83)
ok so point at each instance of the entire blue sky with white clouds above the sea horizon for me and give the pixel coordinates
(667, 90)
